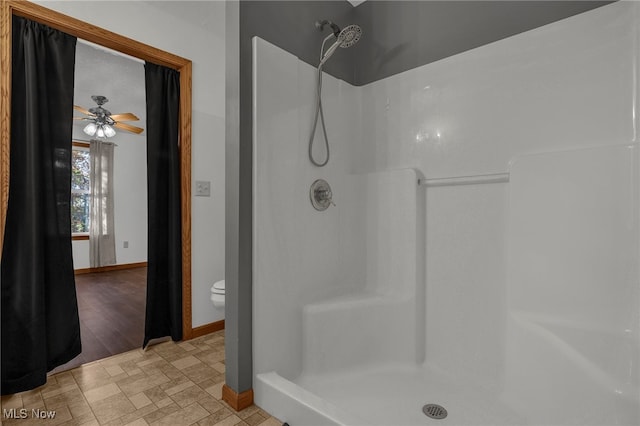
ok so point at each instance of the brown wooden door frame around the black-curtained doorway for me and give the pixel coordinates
(106, 38)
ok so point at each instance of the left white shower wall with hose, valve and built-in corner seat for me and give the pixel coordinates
(350, 274)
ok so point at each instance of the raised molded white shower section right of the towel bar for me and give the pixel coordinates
(573, 295)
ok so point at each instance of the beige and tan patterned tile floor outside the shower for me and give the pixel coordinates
(168, 384)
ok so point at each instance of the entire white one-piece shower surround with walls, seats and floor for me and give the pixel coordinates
(509, 303)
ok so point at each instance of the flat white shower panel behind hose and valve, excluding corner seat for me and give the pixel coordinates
(301, 256)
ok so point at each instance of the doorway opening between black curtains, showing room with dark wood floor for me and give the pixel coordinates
(111, 290)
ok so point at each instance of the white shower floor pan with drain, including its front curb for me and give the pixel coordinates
(386, 395)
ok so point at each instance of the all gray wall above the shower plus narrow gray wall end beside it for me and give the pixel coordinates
(397, 36)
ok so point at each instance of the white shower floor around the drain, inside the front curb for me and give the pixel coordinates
(395, 395)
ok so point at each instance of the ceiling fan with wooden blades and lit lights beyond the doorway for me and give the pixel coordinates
(102, 122)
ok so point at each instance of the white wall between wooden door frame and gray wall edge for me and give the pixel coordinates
(193, 30)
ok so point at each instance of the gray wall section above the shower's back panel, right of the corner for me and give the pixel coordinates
(401, 35)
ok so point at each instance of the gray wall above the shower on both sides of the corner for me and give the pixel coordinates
(398, 35)
